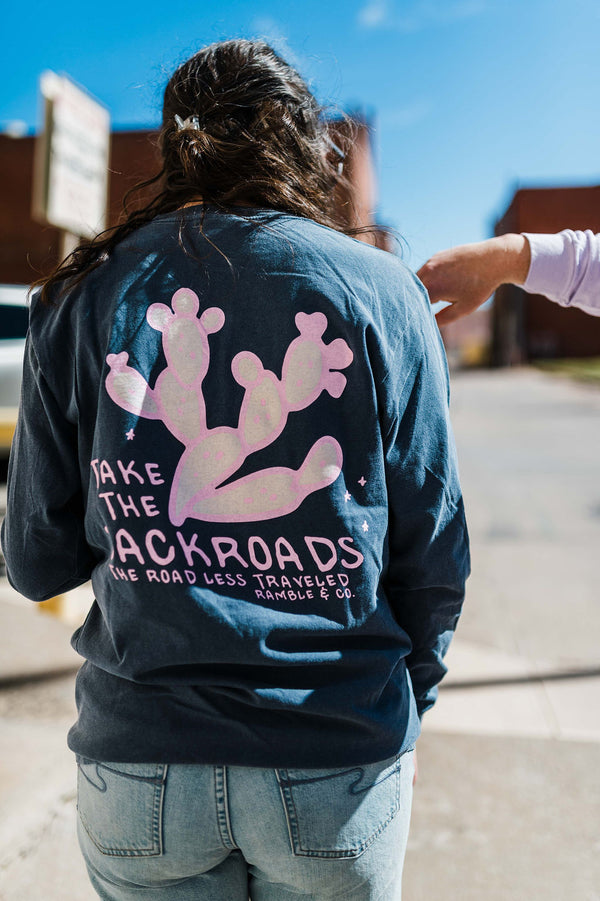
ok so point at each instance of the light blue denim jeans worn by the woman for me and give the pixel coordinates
(177, 832)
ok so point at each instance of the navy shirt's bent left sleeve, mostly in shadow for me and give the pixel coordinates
(43, 536)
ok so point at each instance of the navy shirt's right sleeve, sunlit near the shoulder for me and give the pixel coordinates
(428, 541)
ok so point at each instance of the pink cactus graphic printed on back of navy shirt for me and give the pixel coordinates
(212, 456)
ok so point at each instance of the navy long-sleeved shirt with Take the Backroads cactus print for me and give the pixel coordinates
(237, 427)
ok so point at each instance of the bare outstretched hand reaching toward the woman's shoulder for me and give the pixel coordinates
(466, 276)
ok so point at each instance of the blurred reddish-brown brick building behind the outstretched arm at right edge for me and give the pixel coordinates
(527, 327)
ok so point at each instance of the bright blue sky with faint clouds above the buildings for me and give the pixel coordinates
(470, 98)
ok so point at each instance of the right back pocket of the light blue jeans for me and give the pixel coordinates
(339, 813)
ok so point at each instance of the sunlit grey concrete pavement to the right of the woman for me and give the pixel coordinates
(507, 807)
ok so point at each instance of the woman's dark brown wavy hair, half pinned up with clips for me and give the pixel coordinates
(239, 127)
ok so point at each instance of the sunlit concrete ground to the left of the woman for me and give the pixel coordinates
(39, 856)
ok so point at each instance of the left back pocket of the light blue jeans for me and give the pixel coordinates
(120, 806)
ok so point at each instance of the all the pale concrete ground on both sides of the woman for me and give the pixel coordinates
(507, 804)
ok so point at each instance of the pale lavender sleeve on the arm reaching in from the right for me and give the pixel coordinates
(566, 268)
